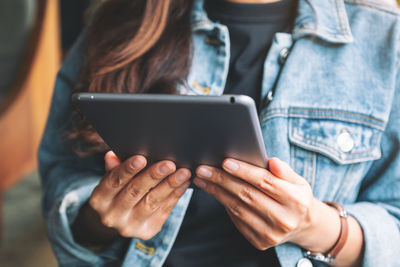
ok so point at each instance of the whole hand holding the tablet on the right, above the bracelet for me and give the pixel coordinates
(268, 207)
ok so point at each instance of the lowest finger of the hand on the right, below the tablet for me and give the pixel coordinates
(233, 205)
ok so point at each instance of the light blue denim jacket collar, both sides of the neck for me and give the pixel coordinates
(326, 20)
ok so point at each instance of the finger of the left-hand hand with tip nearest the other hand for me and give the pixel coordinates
(158, 195)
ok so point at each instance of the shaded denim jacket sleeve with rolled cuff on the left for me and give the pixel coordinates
(67, 180)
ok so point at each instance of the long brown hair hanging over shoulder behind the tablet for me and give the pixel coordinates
(134, 46)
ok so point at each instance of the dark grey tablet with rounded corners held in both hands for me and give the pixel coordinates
(189, 130)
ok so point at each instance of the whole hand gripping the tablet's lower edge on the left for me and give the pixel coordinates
(137, 203)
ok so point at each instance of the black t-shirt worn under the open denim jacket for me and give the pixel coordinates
(208, 237)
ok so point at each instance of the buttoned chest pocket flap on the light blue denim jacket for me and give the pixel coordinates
(342, 136)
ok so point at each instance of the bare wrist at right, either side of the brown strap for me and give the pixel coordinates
(324, 232)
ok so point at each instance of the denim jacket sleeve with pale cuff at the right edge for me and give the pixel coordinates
(378, 206)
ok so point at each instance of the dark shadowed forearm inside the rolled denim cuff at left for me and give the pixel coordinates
(88, 230)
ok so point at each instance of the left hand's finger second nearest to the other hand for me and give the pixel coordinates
(134, 191)
